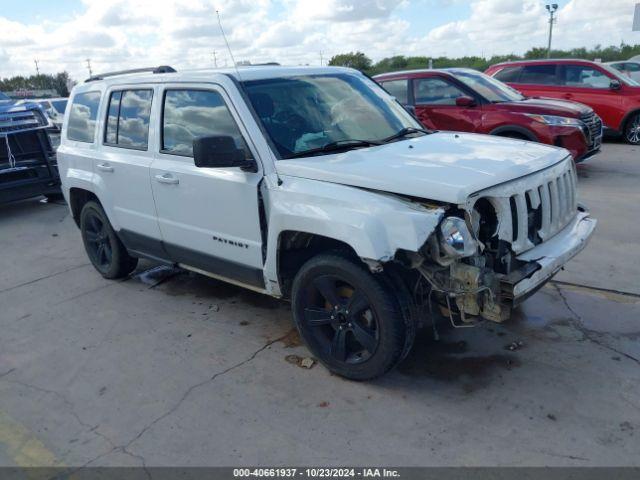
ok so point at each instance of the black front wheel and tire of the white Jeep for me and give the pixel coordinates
(349, 318)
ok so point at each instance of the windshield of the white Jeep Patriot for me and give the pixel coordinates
(304, 113)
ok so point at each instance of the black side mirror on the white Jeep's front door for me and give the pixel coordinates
(218, 151)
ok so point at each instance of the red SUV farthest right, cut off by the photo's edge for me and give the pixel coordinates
(615, 97)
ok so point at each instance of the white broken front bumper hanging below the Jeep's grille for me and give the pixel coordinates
(549, 257)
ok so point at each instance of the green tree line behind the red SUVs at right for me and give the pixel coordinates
(360, 61)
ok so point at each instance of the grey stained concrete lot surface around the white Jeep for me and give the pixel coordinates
(171, 368)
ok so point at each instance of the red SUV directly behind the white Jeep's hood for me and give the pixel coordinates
(466, 100)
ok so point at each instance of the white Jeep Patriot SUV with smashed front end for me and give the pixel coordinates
(314, 184)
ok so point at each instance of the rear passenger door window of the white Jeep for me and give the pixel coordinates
(128, 116)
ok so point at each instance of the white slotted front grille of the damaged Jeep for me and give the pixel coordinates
(534, 208)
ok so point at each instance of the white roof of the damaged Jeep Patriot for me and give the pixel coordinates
(207, 75)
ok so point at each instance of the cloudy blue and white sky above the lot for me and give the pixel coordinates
(118, 34)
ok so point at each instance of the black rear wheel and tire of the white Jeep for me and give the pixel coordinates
(105, 250)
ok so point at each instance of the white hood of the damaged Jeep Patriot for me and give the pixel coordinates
(443, 166)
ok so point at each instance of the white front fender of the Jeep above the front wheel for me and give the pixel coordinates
(375, 225)
